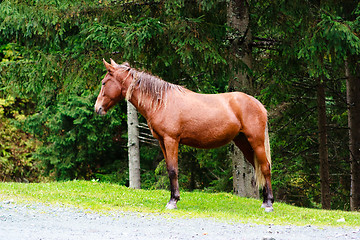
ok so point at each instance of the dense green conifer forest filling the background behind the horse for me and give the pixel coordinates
(305, 57)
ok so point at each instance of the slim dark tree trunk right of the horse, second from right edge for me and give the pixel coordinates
(323, 150)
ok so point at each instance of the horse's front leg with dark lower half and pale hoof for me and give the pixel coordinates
(170, 149)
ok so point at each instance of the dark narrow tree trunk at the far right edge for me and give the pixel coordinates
(353, 103)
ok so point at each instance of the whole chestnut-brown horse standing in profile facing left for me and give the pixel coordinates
(177, 115)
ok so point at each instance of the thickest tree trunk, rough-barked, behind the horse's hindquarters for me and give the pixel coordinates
(238, 19)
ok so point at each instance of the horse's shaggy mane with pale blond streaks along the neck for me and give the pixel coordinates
(149, 86)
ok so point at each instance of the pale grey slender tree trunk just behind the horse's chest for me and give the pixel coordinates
(133, 147)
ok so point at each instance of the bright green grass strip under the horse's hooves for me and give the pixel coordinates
(105, 197)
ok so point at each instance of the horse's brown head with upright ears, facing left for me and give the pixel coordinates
(113, 87)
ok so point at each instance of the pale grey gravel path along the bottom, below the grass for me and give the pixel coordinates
(42, 222)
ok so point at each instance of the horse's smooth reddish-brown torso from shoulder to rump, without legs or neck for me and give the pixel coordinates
(206, 120)
